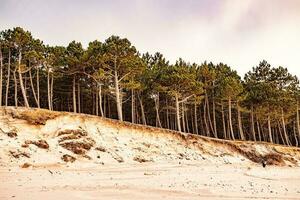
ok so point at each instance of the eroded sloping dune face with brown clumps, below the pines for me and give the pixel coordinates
(40, 137)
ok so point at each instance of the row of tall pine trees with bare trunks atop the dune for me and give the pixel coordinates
(112, 79)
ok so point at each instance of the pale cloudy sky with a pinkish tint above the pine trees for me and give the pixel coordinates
(240, 33)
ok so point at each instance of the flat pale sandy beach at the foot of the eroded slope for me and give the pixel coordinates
(188, 180)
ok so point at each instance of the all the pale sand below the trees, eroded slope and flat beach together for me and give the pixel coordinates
(53, 155)
